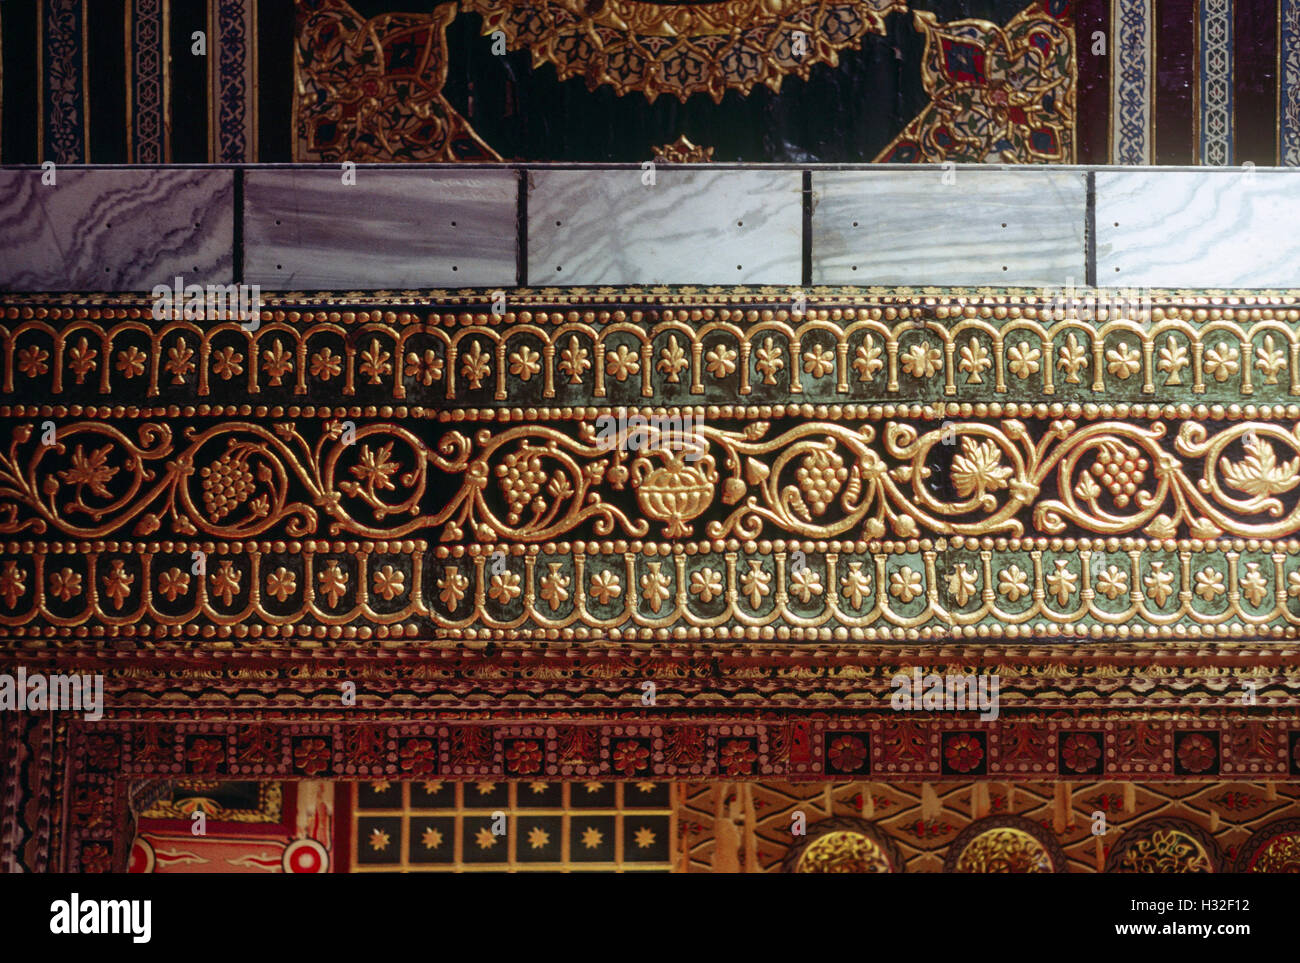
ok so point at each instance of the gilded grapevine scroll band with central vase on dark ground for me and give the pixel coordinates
(532, 483)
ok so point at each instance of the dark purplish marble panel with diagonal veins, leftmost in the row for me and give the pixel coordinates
(115, 231)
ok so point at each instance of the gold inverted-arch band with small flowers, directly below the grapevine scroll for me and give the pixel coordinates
(964, 589)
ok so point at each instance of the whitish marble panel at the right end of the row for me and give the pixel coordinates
(1214, 229)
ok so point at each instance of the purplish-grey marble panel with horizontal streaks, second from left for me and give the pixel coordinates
(392, 229)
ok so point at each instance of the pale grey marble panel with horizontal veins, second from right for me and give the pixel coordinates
(955, 227)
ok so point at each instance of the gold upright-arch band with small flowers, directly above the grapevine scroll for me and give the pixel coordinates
(926, 350)
